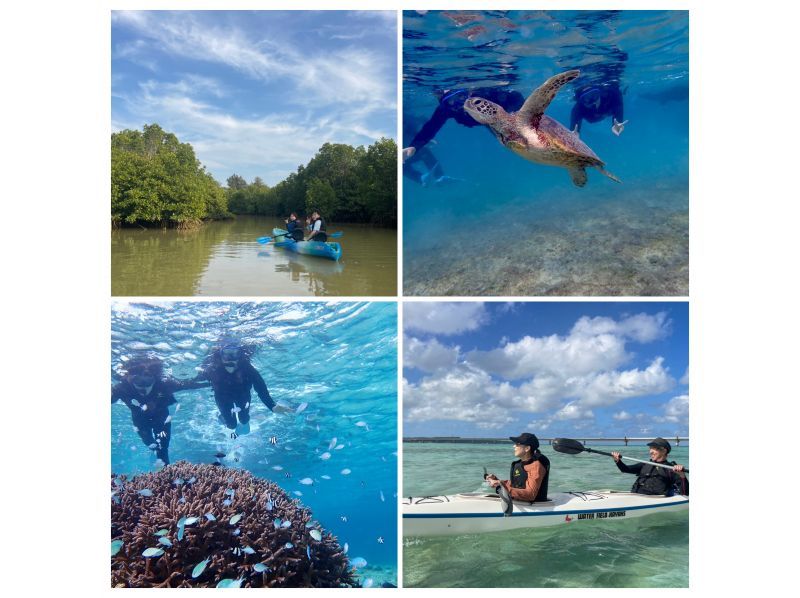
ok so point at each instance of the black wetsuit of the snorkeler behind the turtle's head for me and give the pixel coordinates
(452, 106)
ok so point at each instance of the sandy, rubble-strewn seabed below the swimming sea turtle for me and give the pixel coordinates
(636, 244)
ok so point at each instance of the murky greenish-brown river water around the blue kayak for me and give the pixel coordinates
(224, 259)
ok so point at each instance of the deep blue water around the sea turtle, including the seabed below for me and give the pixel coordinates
(512, 227)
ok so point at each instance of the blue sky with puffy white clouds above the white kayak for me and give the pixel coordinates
(555, 369)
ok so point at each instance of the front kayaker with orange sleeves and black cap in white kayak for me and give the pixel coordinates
(529, 473)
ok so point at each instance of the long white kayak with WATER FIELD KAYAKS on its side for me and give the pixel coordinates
(478, 512)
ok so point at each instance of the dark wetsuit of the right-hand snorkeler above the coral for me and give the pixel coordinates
(233, 390)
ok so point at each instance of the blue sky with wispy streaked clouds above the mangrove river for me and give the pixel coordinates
(256, 93)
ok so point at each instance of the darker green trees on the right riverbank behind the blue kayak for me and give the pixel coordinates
(345, 183)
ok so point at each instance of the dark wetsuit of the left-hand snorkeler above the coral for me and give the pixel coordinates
(150, 415)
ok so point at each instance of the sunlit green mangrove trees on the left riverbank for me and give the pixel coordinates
(157, 179)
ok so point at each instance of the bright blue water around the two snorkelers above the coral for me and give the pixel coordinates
(339, 358)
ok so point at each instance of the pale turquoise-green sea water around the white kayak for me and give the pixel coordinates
(648, 552)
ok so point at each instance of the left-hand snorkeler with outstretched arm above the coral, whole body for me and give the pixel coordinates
(148, 394)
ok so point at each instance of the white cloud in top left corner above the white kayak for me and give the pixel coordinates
(444, 318)
